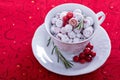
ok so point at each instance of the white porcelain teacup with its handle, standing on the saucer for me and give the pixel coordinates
(73, 47)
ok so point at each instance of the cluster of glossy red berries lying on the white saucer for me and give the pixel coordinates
(86, 56)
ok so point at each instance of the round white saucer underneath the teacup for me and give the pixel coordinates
(102, 47)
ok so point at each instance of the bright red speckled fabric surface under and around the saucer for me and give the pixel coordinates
(20, 18)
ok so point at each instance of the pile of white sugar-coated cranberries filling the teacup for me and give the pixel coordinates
(72, 26)
